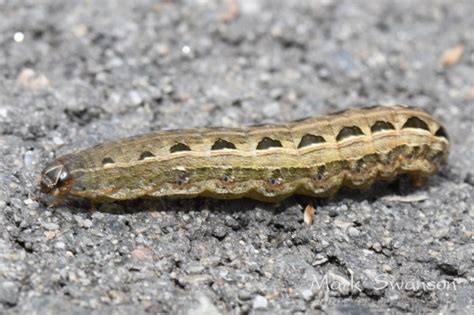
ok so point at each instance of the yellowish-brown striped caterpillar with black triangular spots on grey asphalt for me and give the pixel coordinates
(313, 156)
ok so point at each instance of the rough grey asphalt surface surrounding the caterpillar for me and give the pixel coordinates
(75, 73)
